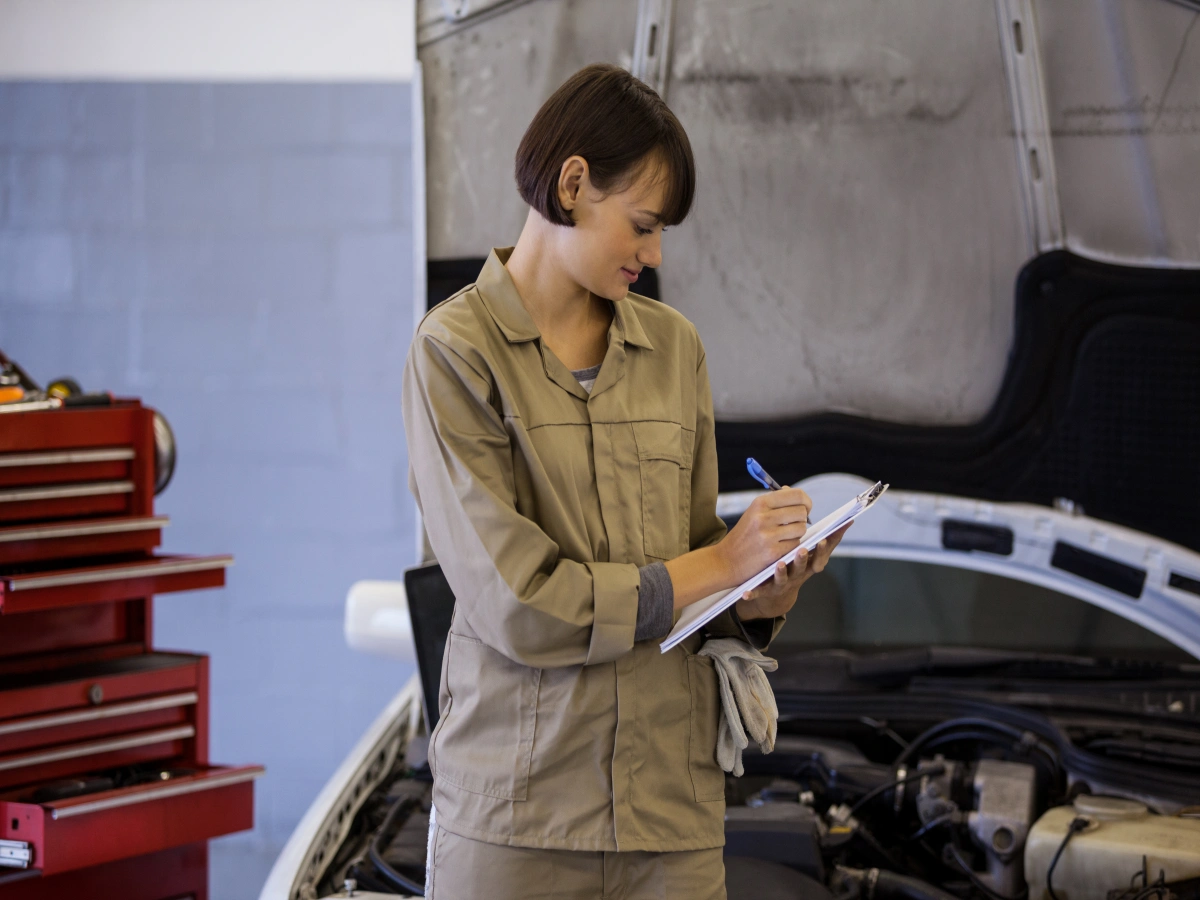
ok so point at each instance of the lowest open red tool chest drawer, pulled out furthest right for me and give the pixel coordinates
(185, 807)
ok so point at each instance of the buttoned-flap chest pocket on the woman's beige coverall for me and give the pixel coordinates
(664, 460)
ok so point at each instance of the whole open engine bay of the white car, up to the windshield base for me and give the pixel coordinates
(897, 778)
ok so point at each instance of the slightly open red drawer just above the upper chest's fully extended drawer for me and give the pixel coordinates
(74, 541)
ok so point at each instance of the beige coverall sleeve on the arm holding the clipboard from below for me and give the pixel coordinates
(710, 529)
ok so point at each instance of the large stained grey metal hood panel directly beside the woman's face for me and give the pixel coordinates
(859, 221)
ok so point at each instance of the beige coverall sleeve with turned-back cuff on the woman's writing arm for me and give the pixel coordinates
(509, 583)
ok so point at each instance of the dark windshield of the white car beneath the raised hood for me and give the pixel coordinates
(877, 604)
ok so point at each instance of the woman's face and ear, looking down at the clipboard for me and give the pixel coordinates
(616, 235)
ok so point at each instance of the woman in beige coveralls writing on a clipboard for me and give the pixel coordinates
(561, 439)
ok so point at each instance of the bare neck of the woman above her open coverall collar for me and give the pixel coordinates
(573, 323)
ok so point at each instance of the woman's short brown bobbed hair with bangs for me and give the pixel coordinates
(616, 123)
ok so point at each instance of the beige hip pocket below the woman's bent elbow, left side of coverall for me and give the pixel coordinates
(484, 741)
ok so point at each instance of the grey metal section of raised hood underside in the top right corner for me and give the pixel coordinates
(1124, 87)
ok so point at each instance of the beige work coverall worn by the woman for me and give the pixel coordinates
(557, 731)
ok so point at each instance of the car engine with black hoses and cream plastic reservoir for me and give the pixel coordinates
(969, 808)
